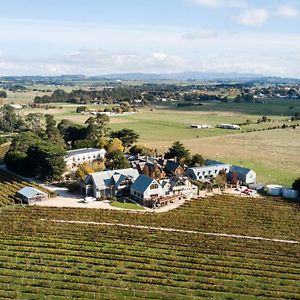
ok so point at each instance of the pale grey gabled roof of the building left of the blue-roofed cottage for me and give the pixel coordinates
(108, 178)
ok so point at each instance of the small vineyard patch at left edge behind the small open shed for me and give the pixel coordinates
(9, 185)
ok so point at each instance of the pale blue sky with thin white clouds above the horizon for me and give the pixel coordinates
(96, 37)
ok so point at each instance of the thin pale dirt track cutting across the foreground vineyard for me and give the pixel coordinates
(236, 236)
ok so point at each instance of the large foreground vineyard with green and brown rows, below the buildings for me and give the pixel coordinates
(43, 259)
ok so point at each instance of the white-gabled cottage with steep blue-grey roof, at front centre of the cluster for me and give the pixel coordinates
(145, 188)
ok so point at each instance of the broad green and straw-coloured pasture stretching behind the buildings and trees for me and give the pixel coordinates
(272, 154)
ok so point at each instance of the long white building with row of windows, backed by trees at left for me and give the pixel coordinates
(84, 155)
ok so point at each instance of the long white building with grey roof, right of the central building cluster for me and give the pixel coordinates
(206, 172)
